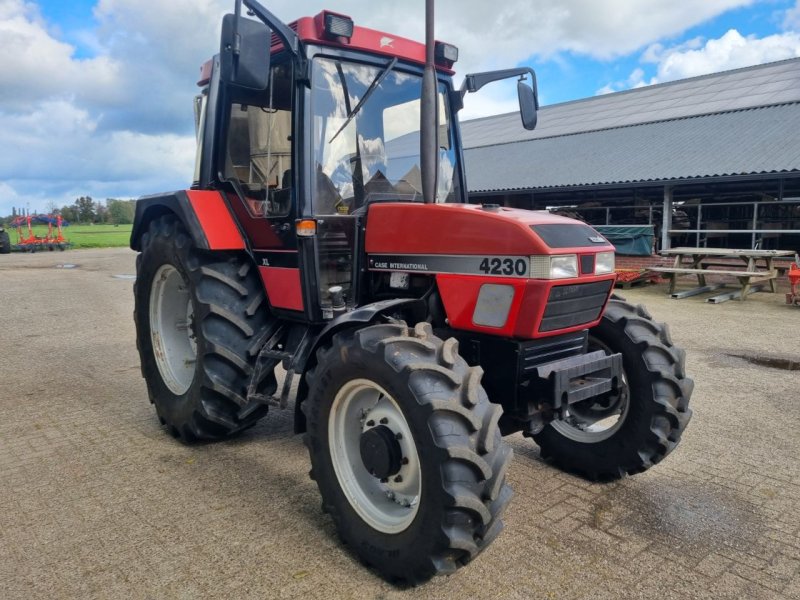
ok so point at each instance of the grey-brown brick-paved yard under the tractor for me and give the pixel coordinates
(97, 501)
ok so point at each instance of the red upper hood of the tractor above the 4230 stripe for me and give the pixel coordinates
(458, 229)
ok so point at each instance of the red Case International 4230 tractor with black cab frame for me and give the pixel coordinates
(328, 231)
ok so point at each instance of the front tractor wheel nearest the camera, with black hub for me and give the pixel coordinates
(406, 450)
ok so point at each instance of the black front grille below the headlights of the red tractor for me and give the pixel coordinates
(571, 305)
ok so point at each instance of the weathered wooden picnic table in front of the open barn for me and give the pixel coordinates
(757, 266)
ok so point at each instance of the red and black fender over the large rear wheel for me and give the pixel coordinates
(204, 213)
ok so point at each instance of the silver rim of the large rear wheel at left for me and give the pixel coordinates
(172, 329)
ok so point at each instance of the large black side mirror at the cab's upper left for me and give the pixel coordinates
(244, 53)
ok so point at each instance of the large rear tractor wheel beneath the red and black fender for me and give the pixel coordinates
(200, 321)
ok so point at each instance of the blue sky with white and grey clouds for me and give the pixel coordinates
(96, 95)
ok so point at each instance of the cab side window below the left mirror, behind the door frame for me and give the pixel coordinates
(259, 146)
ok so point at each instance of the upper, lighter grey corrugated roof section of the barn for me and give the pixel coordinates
(762, 85)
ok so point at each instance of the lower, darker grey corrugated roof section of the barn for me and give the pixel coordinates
(743, 142)
